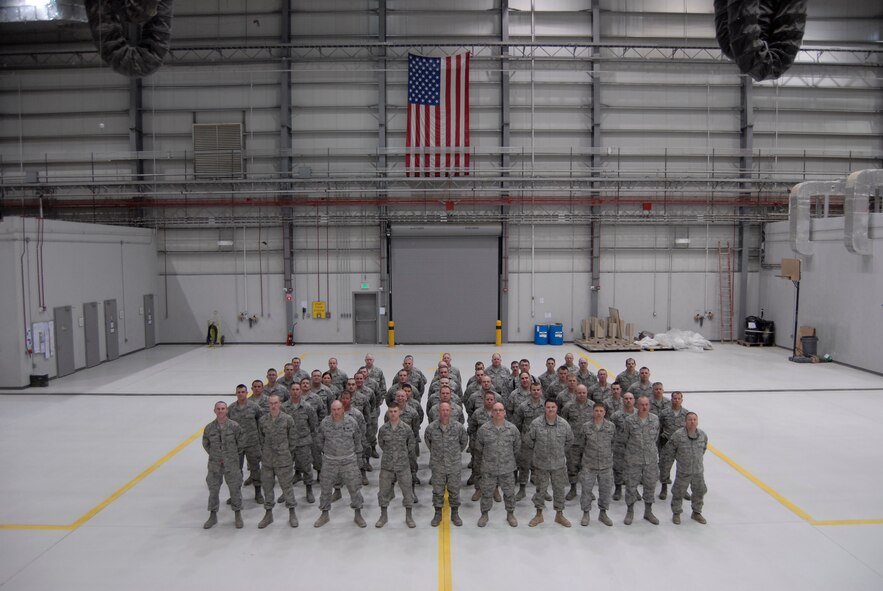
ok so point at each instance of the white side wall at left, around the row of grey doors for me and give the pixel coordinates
(81, 263)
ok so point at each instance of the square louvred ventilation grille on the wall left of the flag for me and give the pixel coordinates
(217, 150)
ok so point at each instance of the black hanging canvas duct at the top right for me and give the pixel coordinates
(761, 36)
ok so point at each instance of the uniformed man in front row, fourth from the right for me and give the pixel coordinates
(549, 436)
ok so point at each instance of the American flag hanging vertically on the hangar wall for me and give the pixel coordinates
(437, 140)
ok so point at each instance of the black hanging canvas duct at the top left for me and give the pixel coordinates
(109, 20)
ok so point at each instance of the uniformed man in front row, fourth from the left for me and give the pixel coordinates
(396, 440)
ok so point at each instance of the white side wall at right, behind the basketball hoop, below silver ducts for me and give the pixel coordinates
(841, 293)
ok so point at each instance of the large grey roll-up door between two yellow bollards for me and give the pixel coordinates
(445, 289)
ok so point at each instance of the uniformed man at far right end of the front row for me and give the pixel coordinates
(687, 446)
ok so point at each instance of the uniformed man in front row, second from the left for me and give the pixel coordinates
(278, 442)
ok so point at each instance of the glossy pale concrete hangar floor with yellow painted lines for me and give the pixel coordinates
(104, 486)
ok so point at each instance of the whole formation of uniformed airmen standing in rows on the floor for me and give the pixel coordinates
(568, 427)
